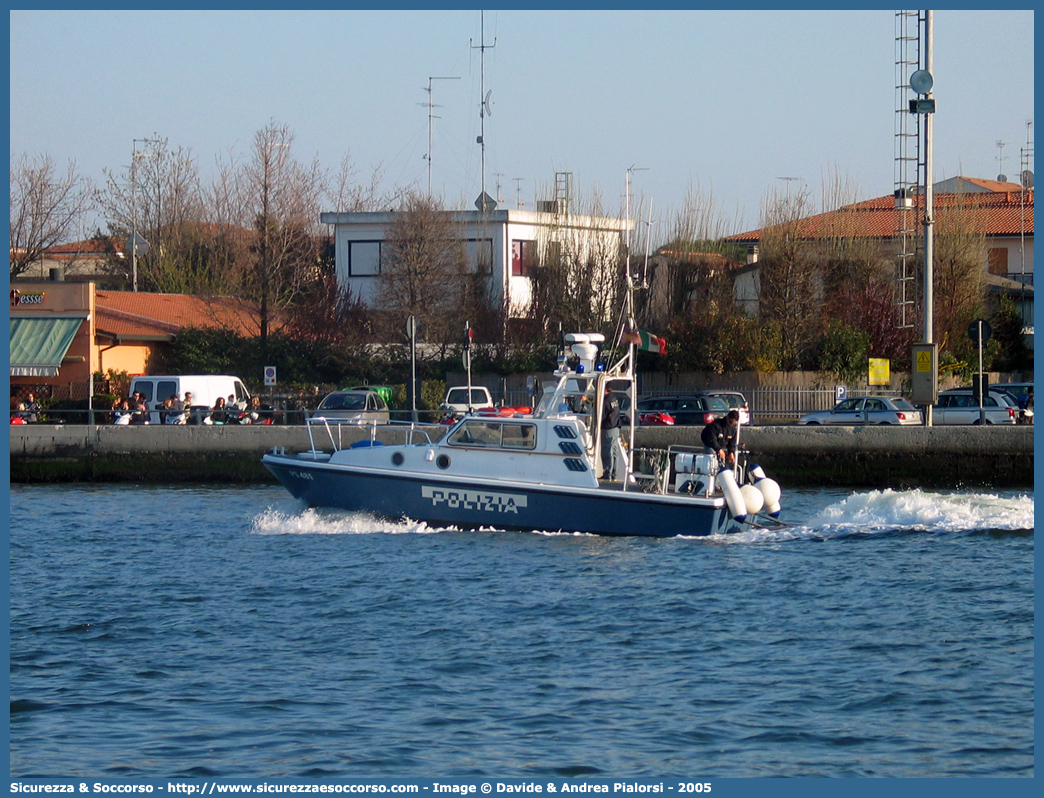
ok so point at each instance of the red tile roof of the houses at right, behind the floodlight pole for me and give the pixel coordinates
(1001, 214)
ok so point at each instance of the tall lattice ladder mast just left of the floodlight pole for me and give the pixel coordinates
(908, 167)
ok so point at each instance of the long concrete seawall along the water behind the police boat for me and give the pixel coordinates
(865, 457)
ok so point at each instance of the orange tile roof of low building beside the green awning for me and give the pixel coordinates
(133, 315)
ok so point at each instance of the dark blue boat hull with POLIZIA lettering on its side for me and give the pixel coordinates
(471, 504)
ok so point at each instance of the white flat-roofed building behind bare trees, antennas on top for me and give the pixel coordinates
(502, 244)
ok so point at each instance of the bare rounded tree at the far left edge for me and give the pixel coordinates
(45, 208)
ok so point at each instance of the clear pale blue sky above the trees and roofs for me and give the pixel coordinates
(721, 103)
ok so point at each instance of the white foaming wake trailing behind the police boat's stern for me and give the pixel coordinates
(908, 512)
